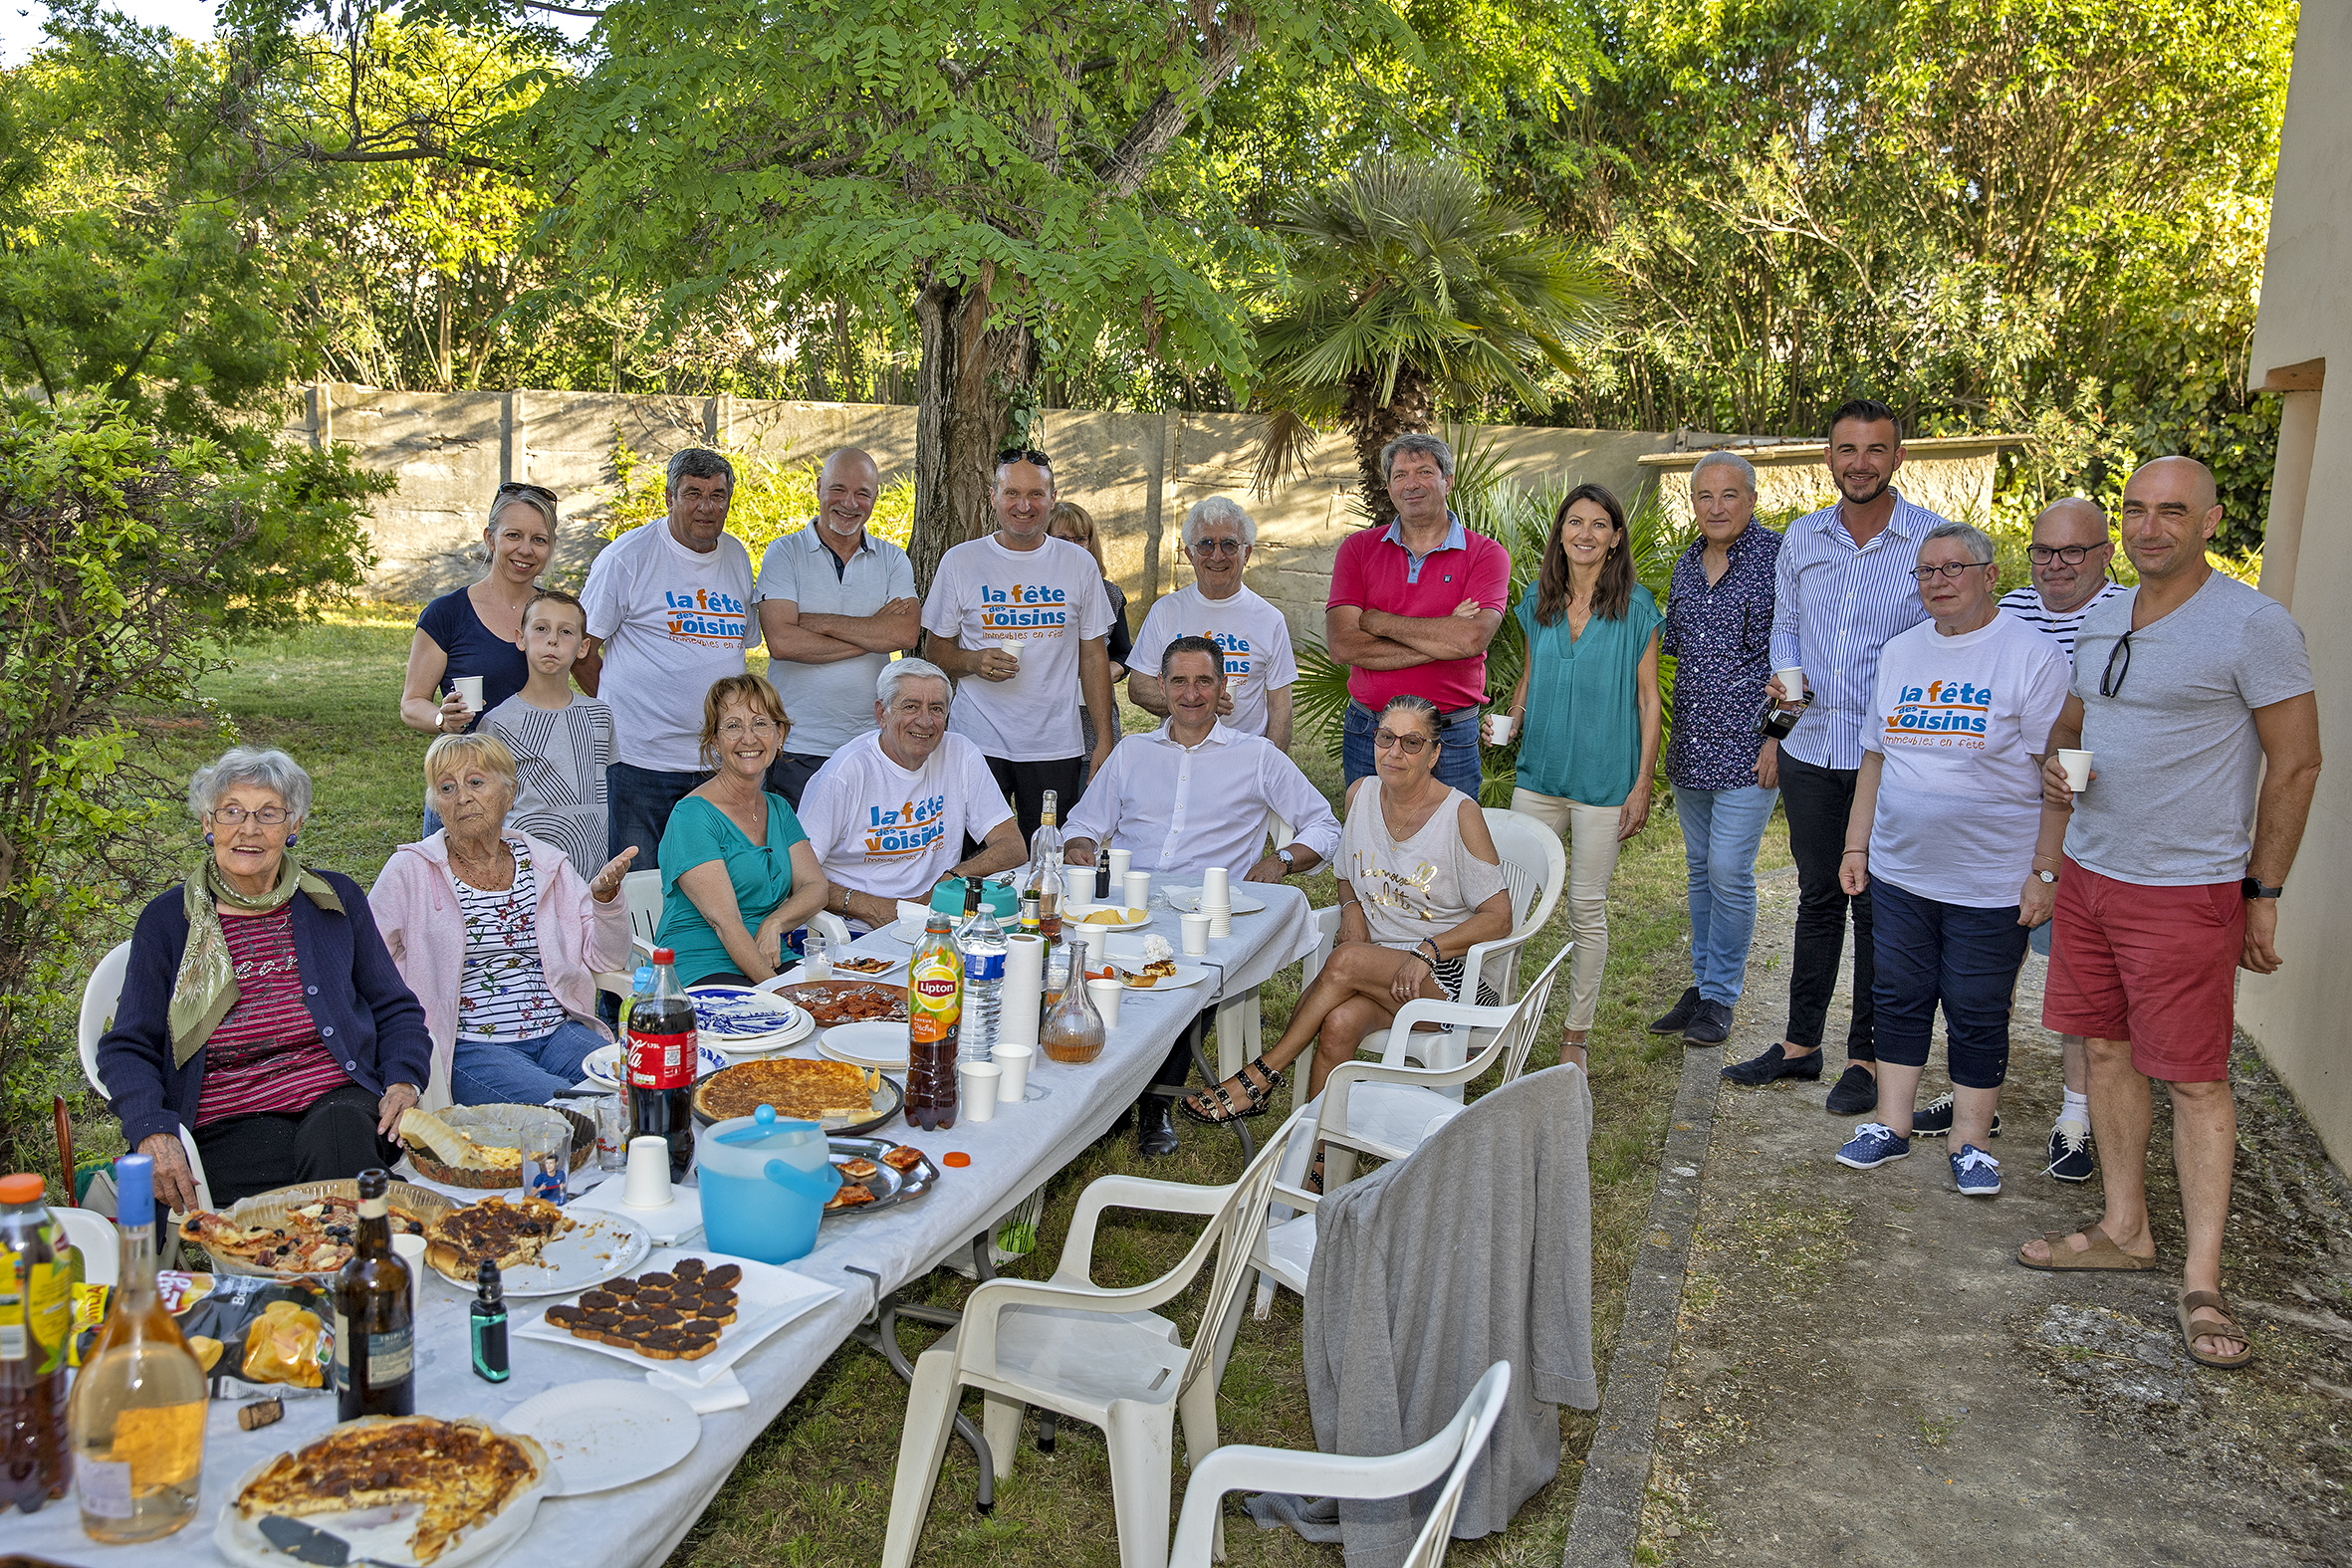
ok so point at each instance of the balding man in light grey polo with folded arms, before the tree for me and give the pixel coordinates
(834, 605)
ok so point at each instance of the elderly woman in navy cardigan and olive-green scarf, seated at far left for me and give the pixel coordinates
(262, 1014)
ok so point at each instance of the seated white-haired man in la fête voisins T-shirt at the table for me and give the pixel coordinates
(890, 812)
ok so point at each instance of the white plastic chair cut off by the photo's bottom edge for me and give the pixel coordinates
(1347, 1475)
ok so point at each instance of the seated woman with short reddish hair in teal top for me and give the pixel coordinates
(737, 871)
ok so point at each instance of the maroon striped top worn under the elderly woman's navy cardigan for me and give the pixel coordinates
(267, 1057)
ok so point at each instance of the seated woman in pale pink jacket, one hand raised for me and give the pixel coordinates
(500, 937)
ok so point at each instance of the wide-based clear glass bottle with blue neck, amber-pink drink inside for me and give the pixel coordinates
(138, 1414)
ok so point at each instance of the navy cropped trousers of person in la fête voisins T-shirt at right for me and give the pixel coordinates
(1949, 953)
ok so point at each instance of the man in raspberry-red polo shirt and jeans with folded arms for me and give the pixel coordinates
(1415, 608)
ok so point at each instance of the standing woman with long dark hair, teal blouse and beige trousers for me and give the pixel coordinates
(1589, 718)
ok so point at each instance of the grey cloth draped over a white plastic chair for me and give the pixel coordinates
(1429, 1271)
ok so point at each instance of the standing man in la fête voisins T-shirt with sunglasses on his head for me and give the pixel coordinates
(1022, 619)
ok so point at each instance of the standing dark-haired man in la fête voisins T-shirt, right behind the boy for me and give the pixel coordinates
(669, 615)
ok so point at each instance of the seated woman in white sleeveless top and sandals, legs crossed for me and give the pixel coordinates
(1422, 883)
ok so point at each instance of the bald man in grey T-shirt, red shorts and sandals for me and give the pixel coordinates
(2193, 697)
